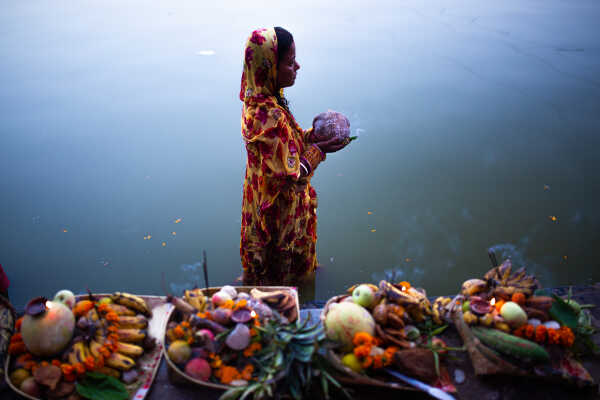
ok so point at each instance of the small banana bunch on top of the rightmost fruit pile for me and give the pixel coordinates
(505, 282)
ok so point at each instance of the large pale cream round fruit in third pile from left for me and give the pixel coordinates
(344, 320)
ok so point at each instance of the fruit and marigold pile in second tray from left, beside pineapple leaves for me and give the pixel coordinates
(215, 340)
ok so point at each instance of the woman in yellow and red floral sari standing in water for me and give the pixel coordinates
(279, 221)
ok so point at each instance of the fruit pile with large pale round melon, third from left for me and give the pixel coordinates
(387, 325)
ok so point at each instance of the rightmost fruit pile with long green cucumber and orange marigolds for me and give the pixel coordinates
(518, 323)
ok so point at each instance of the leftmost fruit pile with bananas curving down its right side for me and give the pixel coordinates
(59, 344)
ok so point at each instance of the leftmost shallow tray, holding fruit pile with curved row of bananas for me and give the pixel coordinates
(148, 363)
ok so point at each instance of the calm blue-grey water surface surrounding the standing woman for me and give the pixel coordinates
(122, 160)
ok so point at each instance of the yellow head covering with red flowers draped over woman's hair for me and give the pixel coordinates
(259, 79)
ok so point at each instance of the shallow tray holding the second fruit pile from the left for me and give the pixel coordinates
(176, 375)
